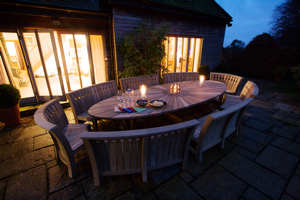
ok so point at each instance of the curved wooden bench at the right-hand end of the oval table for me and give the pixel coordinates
(249, 90)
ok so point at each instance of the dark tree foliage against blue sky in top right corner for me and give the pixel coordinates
(286, 23)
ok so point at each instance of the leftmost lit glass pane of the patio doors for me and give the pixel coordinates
(16, 65)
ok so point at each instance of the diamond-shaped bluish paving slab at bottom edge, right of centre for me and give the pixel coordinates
(218, 183)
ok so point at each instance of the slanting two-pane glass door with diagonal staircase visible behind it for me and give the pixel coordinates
(40, 51)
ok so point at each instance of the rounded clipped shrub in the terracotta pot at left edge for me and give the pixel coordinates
(9, 96)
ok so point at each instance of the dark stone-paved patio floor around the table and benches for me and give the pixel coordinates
(261, 163)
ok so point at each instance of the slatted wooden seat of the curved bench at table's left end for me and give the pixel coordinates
(73, 134)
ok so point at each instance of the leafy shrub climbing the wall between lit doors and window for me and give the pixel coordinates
(144, 49)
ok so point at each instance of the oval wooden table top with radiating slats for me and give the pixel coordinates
(190, 95)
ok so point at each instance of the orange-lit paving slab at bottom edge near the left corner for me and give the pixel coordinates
(30, 184)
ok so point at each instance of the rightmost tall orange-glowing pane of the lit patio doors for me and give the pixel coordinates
(98, 57)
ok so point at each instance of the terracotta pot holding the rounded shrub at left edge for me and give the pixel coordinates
(10, 116)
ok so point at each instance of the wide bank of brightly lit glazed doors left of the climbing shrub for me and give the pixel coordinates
(46, 64)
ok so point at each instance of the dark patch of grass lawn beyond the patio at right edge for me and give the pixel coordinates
(288, 87)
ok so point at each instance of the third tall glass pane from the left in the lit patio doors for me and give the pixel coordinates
(50, 62)
